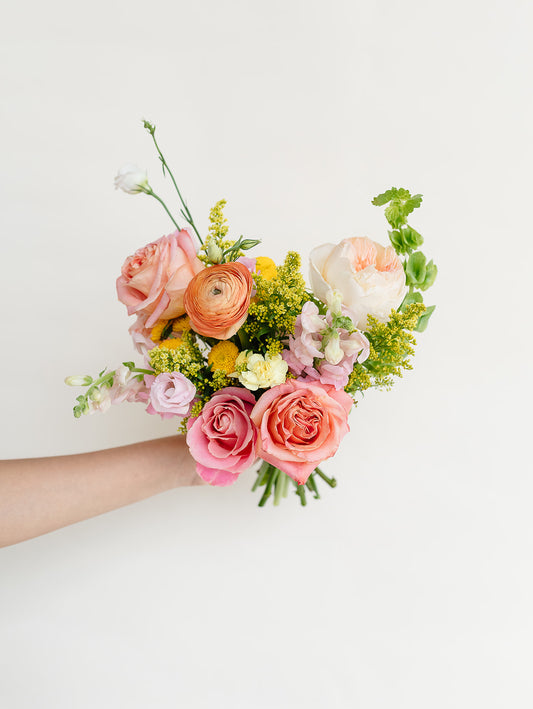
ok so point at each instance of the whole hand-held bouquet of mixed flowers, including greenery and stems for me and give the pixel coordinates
(252, 363)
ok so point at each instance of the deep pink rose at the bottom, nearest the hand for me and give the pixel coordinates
(223, 439)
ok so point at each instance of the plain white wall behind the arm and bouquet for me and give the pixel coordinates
(410, 585)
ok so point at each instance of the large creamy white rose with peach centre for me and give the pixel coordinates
(369, 277)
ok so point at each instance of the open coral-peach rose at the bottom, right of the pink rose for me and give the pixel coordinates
(300, 425)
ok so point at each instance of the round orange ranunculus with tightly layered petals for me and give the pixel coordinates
(217, 299)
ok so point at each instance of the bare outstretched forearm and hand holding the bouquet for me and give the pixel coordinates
(40, 495)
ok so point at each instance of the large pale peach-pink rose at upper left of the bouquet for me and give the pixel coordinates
(153, 281)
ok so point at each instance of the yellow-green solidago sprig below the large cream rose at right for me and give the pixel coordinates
(391, 345)
